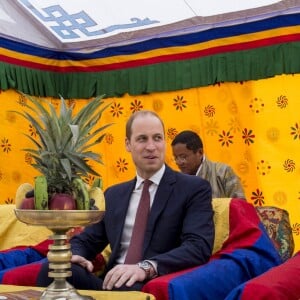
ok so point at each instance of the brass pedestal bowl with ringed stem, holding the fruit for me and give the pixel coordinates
(59, 255)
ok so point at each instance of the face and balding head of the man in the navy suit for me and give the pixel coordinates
(147, 145)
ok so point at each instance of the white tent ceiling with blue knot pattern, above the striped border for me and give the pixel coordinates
(85, 25)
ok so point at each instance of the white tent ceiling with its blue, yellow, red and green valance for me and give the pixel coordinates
(55, 47)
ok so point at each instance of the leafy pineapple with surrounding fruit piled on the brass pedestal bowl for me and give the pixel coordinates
(62, 152)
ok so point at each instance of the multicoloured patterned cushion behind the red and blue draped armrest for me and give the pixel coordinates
(277, 224)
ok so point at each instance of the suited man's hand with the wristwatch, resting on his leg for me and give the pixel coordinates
(123, 274)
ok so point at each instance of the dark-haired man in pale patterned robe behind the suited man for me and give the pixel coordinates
(189, 156)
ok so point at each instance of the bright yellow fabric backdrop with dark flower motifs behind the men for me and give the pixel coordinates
(254, 126)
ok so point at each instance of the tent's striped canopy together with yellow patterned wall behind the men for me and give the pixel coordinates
(230, 73)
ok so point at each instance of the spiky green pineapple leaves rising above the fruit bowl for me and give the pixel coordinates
(62, 142)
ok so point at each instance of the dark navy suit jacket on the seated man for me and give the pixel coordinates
(180, 230)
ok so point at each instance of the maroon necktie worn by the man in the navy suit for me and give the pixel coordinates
(134, 253)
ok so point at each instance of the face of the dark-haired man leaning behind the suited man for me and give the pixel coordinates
(187, 161)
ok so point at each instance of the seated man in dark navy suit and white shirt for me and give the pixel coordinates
(180, 229)
